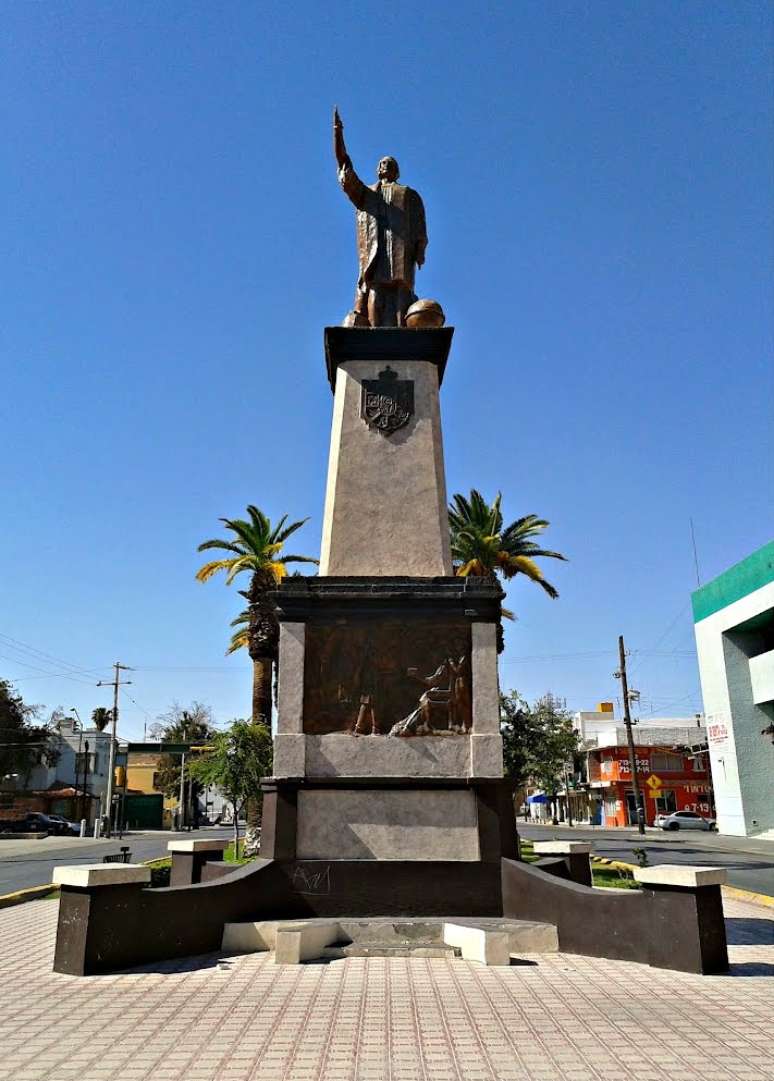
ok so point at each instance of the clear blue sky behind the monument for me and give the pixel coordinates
(597, 178)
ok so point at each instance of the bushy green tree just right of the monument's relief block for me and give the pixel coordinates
(539, 741)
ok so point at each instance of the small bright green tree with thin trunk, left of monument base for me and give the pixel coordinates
(235, 763)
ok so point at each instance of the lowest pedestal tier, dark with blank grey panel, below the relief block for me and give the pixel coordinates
(409, 847)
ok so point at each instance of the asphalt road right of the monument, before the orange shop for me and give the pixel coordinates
(751, 863)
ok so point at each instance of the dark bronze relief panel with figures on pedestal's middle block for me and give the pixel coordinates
(392, 679)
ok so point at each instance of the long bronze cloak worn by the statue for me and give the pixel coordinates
(391, 223)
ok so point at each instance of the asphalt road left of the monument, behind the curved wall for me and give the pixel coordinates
(25, 864)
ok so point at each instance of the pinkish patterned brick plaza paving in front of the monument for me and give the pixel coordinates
(244, 1018)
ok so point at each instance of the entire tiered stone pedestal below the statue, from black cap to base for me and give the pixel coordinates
(388, 796)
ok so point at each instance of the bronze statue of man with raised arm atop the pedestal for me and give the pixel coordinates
(392, 239)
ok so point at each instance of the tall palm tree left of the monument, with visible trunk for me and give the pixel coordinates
(256, 549)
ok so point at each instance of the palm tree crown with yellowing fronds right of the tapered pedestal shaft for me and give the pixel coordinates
(482, 546)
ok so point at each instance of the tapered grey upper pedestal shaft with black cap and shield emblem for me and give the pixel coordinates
(386, 496)
